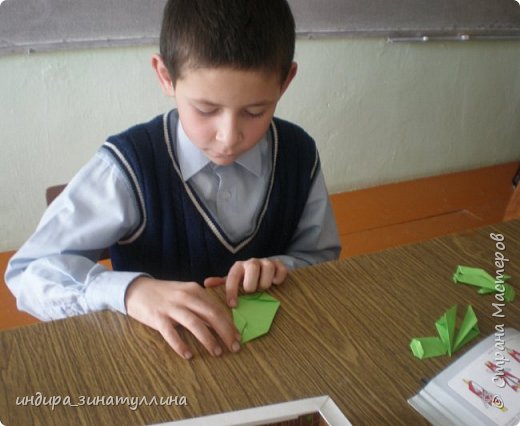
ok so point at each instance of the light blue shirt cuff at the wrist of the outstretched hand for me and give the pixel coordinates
(108, 289)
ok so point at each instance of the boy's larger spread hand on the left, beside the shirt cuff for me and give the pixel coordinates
(162, 305)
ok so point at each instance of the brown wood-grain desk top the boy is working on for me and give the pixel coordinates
(343, 330)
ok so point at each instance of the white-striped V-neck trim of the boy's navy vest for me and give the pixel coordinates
(215, 228)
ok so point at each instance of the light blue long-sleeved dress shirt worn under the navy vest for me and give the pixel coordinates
(55, 274)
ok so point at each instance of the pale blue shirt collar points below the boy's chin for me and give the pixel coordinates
(192, 160)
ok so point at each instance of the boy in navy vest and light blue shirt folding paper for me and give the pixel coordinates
(216, 192)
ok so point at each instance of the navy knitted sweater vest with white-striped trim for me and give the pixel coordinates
(178, 239)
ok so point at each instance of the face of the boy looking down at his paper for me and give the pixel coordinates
(224, 111)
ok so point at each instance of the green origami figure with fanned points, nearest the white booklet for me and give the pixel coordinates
(447, 342)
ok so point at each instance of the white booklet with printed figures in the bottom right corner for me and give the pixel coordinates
(482, 387)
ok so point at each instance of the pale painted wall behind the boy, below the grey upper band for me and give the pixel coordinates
(380, 112)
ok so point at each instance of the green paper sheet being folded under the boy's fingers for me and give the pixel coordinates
(254, 315)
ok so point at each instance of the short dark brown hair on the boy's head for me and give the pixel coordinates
(241, 34)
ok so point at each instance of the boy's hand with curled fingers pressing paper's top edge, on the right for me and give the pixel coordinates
(254, 274)
